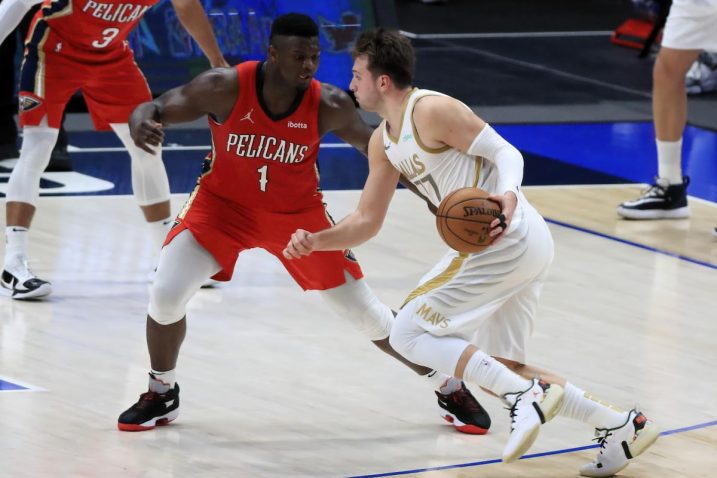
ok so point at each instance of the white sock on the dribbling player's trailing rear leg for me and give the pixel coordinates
(585, 408)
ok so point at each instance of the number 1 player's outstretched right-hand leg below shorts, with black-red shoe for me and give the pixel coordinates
(355, 301)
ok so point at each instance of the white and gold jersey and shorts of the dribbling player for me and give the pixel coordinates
(488, 298)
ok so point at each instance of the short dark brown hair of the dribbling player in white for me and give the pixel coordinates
(389, 53)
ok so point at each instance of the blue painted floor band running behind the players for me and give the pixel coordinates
(576, 153)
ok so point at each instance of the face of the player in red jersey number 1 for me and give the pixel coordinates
(297, 59)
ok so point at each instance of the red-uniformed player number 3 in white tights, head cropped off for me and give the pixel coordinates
(81, 45)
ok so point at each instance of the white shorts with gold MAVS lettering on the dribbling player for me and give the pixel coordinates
(489, 298)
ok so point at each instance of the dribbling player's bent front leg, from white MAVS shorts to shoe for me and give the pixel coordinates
(451, 306)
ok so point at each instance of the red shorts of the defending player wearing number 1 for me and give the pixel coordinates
(225, 229)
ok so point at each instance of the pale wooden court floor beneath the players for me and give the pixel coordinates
(273, 385)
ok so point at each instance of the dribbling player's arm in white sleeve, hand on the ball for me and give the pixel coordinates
(442, 120)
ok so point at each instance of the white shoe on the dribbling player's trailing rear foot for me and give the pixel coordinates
(621, 444)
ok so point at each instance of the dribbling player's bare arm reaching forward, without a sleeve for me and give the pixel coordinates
(362, 224)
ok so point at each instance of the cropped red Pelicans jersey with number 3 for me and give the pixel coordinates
(91, 26)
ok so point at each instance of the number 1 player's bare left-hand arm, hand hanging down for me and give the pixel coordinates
(213, 92)
